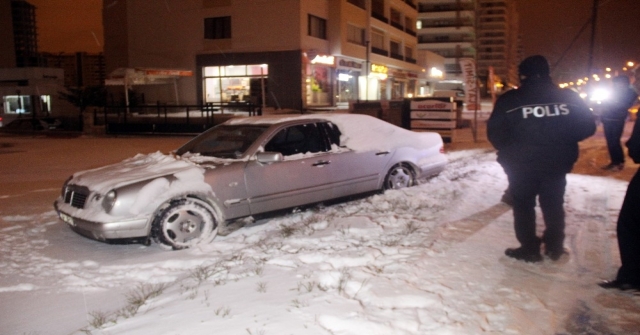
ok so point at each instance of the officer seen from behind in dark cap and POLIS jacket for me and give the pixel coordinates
(536, 129)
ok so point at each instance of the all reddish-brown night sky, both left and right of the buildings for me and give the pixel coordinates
(548, 27)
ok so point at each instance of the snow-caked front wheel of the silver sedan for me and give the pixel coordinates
(185, 223)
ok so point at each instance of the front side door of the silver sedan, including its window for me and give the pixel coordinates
(300, 178)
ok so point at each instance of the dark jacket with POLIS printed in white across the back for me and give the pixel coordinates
(537, 127)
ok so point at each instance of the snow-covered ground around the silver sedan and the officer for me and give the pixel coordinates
(425, 260)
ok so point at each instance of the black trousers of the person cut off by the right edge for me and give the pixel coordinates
(628, 230)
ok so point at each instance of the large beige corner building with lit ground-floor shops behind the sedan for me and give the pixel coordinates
(278, 53)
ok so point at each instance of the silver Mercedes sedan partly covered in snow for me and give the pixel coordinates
(245, 167)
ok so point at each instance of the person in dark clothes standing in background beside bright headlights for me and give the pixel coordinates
(614, 116)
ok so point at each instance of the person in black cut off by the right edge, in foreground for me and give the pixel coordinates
(628, 227)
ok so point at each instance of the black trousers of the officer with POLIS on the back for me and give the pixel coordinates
(548, 187)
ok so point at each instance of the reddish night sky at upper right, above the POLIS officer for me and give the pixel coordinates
(551, 28)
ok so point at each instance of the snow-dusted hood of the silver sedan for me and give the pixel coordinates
(138, 168)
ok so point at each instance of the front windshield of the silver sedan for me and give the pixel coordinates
(224, 141)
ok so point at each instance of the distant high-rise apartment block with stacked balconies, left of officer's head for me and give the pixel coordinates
(485, 30)
